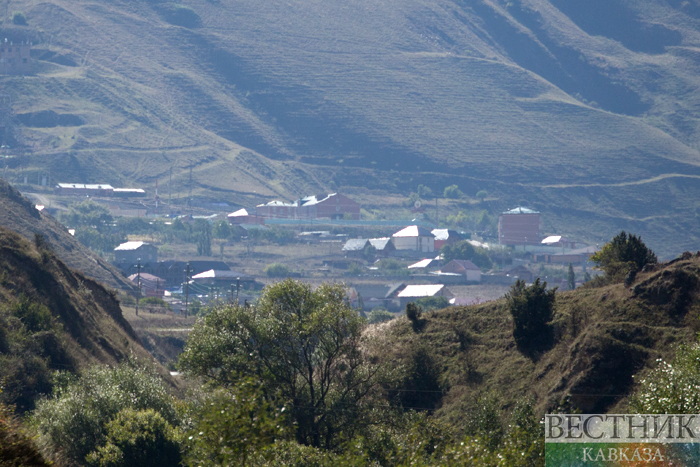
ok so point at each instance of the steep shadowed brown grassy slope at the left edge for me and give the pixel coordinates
(53, 318)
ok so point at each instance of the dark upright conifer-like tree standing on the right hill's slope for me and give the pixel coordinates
(532, 309)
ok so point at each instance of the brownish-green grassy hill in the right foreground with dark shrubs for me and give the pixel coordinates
(605, 337)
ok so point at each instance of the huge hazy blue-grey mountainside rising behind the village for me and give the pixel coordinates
(587, 112)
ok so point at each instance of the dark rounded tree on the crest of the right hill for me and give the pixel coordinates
(624, 254)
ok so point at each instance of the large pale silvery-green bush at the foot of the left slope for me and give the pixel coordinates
(74, 420)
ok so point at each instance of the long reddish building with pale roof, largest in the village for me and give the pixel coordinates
(329, 206)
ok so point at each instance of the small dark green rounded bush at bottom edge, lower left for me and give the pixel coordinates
(136, 438)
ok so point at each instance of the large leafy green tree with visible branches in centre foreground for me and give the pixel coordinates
(305, 343)
